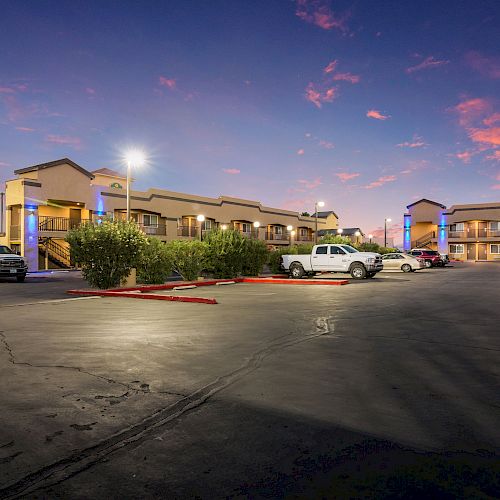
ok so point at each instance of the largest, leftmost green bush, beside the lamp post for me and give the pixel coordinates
(106, 251)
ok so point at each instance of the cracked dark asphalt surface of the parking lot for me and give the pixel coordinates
(381, 388)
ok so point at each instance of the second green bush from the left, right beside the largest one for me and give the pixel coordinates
(155, 263)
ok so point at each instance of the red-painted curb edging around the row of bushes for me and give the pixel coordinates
(141, 291)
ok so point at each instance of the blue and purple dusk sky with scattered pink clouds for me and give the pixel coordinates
(366, 105)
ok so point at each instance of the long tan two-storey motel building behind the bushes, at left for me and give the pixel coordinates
(45, 201)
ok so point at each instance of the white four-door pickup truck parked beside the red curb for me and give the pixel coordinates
(329, 258)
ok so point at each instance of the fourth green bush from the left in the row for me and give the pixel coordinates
(226, 253)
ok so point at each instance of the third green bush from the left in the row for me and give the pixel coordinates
(188, 257)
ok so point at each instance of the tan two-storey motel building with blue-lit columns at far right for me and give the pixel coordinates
(464, 232)
